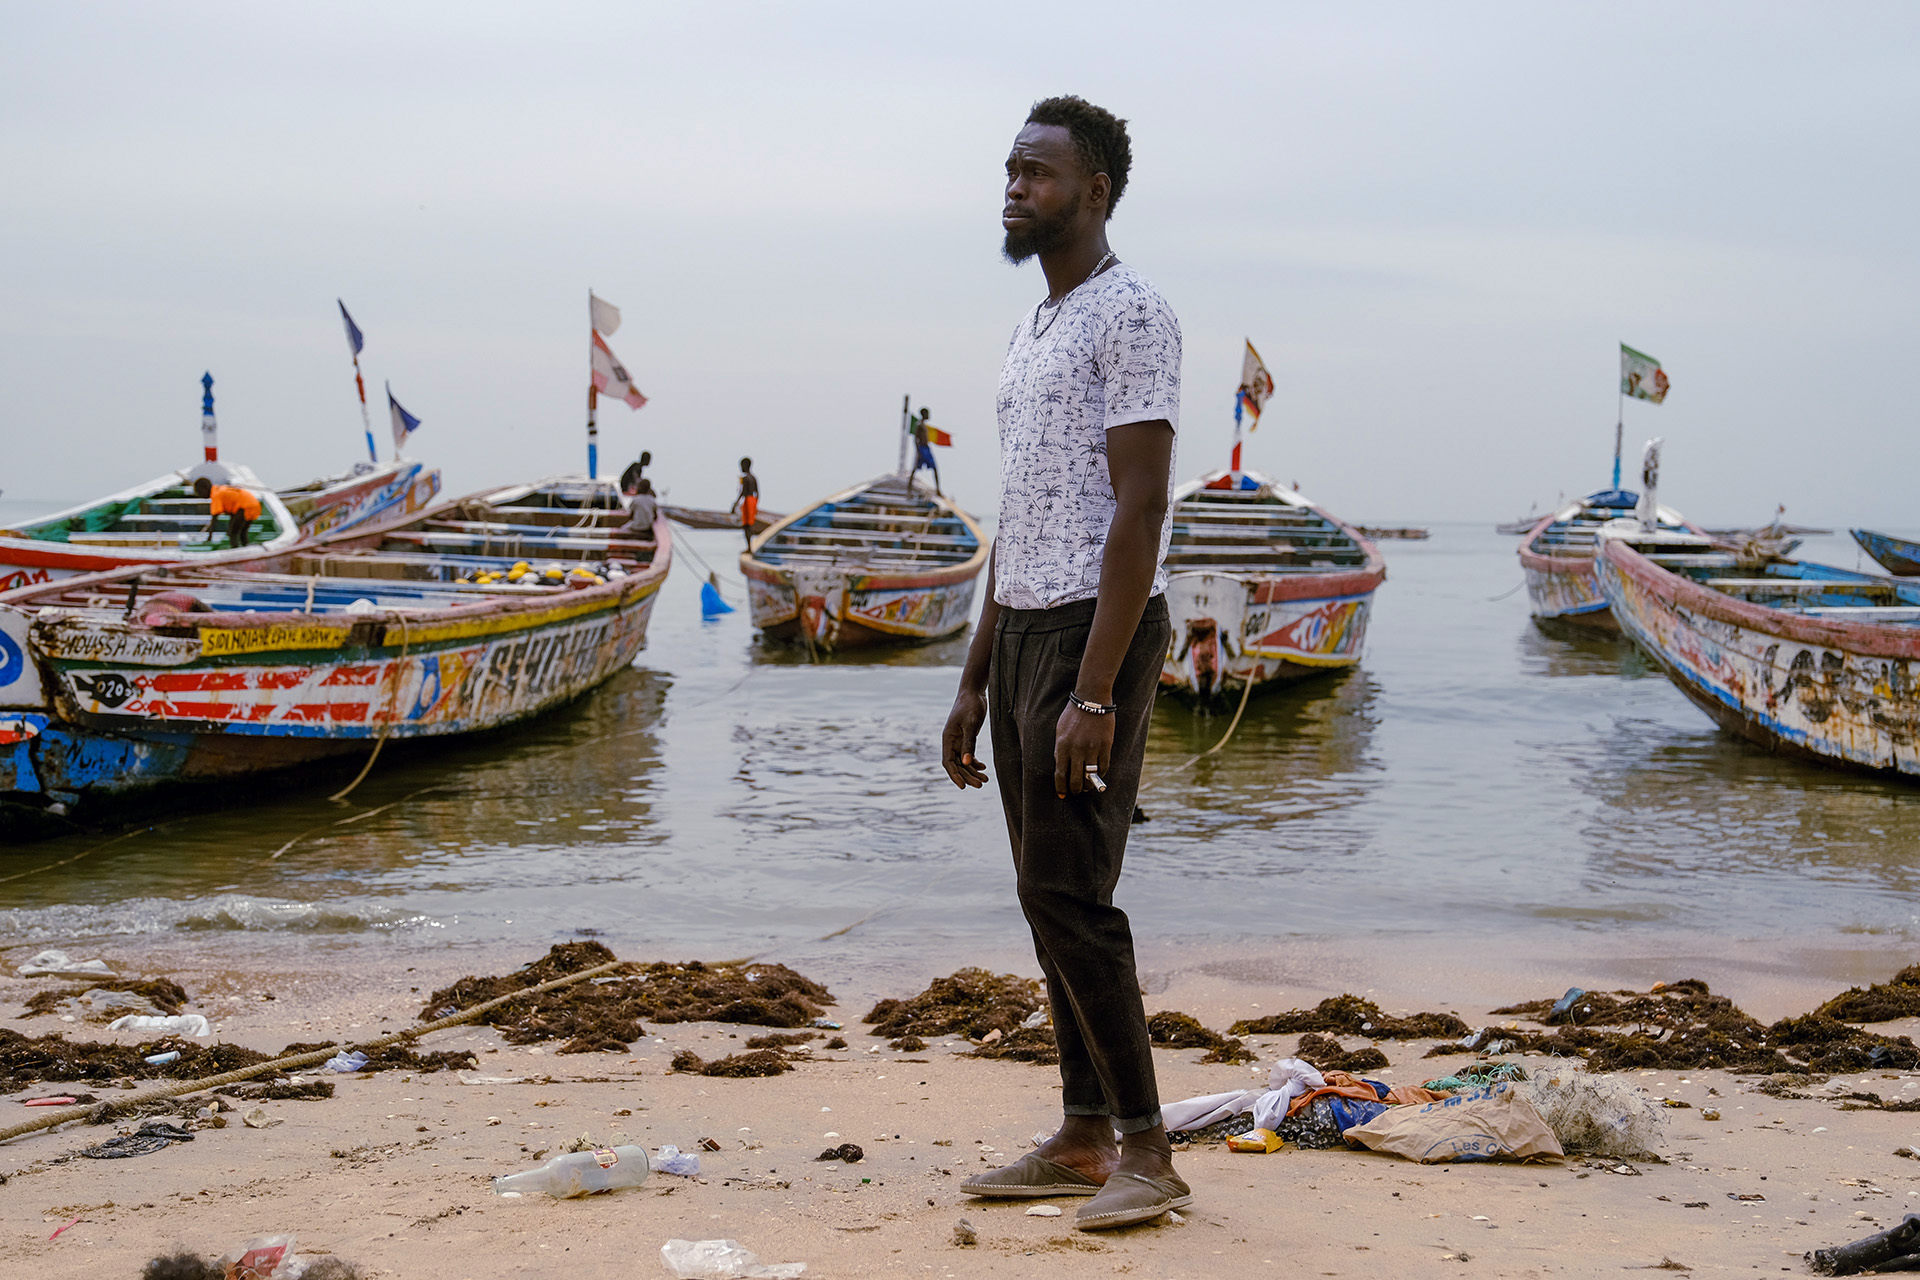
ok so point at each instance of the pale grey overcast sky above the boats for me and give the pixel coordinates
(1435, 222)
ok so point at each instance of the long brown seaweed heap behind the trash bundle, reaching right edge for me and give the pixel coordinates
(1683, 1026)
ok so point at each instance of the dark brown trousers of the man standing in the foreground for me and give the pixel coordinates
(1068, 853)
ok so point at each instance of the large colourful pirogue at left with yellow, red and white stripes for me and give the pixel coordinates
(468, 617)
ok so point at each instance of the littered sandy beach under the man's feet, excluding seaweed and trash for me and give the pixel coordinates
(395, 1172)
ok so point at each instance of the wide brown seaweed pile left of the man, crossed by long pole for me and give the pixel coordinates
(606, 1012)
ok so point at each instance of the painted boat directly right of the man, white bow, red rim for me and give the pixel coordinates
(1262, 588)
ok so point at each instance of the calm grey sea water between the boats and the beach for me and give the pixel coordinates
(1474, 778)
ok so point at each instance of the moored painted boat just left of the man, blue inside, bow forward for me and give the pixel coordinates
(882, 563)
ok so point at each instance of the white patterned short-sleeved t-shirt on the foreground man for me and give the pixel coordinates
(1109, 356)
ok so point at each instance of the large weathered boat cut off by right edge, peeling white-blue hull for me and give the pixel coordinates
(1804, 659)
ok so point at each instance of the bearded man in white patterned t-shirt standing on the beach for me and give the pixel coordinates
(1072, 642)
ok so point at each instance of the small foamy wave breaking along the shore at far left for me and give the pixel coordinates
(212, 914)
